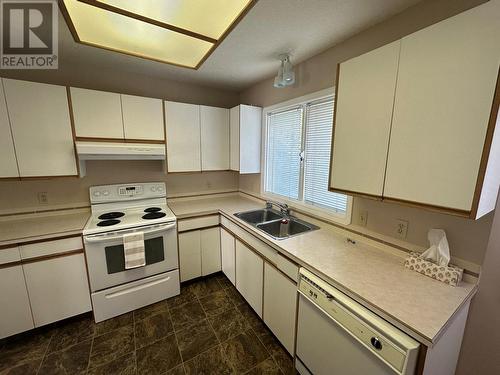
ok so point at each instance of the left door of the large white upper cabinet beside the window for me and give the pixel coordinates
(365, 96)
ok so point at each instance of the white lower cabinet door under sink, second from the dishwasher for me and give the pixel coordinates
(249, 276)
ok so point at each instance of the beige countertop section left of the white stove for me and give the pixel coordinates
(31, 227)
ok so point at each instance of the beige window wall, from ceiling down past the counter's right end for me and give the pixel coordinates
(468, 239)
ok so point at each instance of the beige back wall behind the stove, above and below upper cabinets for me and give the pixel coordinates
(69, 192)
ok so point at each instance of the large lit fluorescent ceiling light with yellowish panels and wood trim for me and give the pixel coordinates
(182, 33)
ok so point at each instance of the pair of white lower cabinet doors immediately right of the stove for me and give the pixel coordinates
(199, 253)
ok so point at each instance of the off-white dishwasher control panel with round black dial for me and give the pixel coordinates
(355, 319)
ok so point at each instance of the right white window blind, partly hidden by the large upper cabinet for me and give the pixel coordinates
(319, 125)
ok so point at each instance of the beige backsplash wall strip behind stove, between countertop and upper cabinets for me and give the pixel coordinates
(21, 196)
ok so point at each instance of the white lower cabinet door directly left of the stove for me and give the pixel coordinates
(58, 288)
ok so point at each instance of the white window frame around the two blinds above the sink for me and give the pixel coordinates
(299, 204)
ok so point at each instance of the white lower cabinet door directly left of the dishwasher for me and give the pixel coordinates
(280, 306)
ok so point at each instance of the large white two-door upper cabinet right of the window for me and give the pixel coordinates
(440, 149)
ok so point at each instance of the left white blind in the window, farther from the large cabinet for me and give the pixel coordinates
(284, 144)
